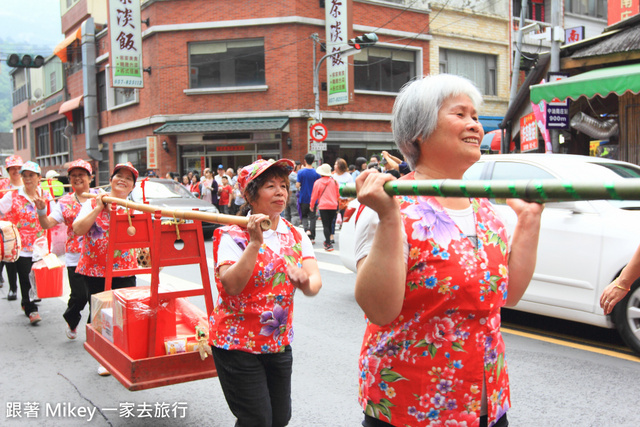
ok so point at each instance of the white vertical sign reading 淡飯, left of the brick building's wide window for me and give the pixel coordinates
(126, 43)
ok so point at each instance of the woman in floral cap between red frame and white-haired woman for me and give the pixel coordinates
(257, 273)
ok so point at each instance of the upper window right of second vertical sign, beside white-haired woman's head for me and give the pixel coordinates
(383, 69)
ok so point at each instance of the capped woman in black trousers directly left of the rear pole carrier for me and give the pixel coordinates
(66, 211)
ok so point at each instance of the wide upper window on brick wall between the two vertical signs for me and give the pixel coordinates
(226, 63)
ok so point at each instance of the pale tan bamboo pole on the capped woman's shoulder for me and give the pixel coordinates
(242, 221)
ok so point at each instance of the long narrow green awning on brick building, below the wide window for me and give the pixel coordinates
(231, 125)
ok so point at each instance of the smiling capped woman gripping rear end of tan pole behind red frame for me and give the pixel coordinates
(93, 223)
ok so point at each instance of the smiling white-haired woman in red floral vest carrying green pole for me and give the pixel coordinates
(433, 272)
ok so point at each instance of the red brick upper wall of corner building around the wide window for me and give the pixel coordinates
(288, 65)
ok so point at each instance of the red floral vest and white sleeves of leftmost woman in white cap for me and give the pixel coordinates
(17, 208)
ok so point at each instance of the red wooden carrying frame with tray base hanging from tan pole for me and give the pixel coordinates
(155, 370)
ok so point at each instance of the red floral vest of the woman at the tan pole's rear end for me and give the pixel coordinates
(93, 261)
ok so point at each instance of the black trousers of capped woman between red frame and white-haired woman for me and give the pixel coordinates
(257, 387)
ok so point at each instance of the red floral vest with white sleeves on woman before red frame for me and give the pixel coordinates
(259, 319)
